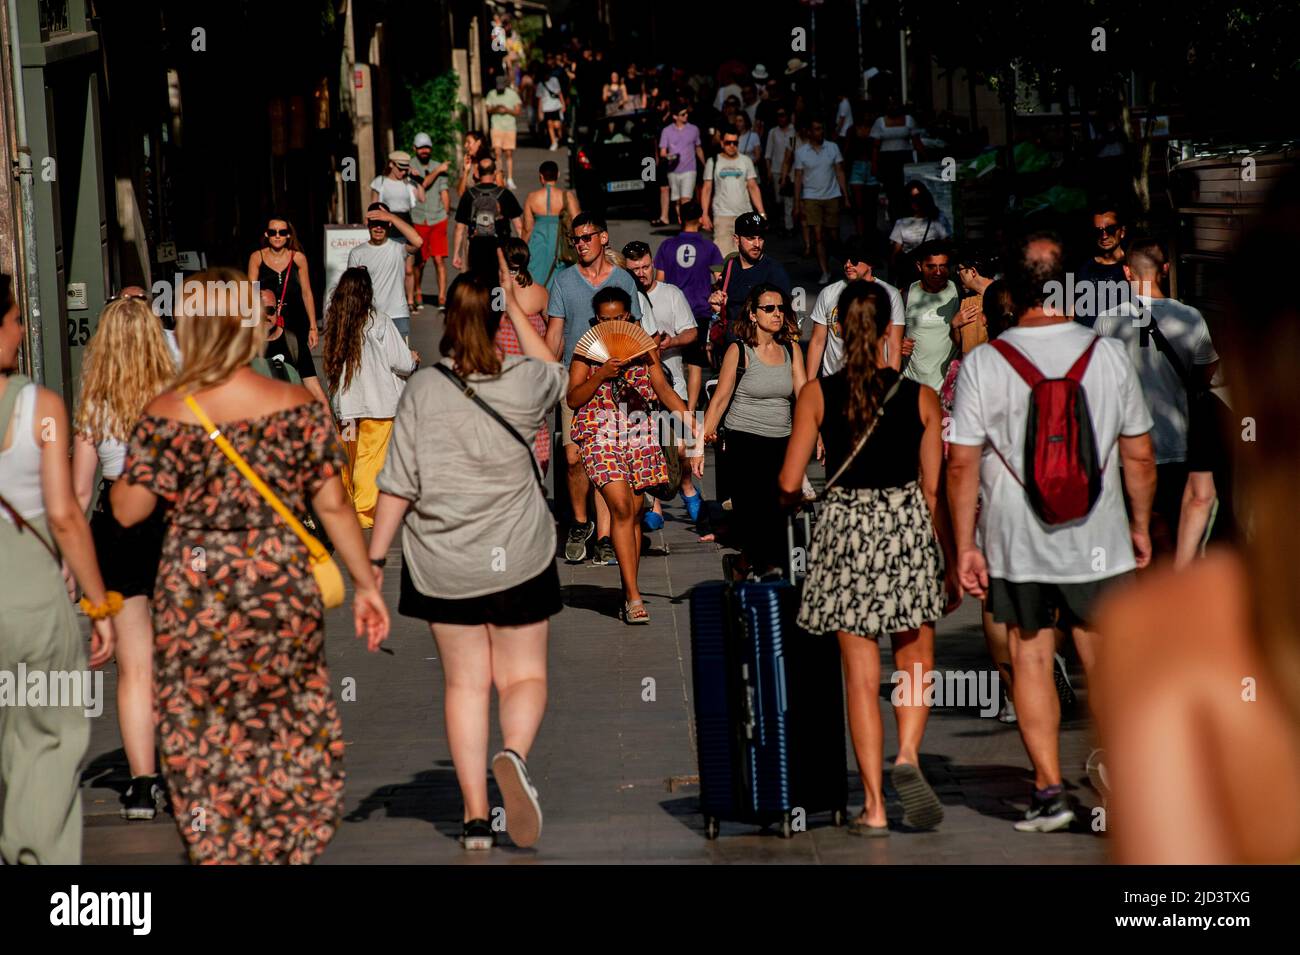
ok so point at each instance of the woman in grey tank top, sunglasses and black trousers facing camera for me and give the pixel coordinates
(760, 379)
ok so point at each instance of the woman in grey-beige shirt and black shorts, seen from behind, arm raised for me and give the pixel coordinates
(479, 542)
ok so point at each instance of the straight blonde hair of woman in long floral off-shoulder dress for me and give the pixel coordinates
(219, 327)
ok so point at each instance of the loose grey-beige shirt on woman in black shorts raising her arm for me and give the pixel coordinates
(478, 523)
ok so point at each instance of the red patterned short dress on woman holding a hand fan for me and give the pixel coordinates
(616, 435)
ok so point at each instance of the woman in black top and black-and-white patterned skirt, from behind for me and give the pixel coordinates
(877, 565)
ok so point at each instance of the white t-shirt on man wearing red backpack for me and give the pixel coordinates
(993, 407)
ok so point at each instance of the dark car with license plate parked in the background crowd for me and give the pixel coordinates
(613, 163)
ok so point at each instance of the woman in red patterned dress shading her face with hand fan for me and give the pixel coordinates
(616, 375)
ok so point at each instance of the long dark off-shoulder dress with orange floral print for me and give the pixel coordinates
(250, 736)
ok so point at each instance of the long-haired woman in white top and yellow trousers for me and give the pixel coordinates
(366, 367)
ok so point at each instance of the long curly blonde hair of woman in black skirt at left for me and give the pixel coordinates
(128, 363)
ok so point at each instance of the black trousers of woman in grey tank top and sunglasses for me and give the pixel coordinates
(755, 465)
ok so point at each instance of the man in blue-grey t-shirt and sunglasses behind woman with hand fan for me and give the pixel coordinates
(570, 314)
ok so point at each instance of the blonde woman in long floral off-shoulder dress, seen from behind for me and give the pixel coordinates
(250, 736)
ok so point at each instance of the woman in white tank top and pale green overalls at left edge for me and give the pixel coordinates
(42, 745)
